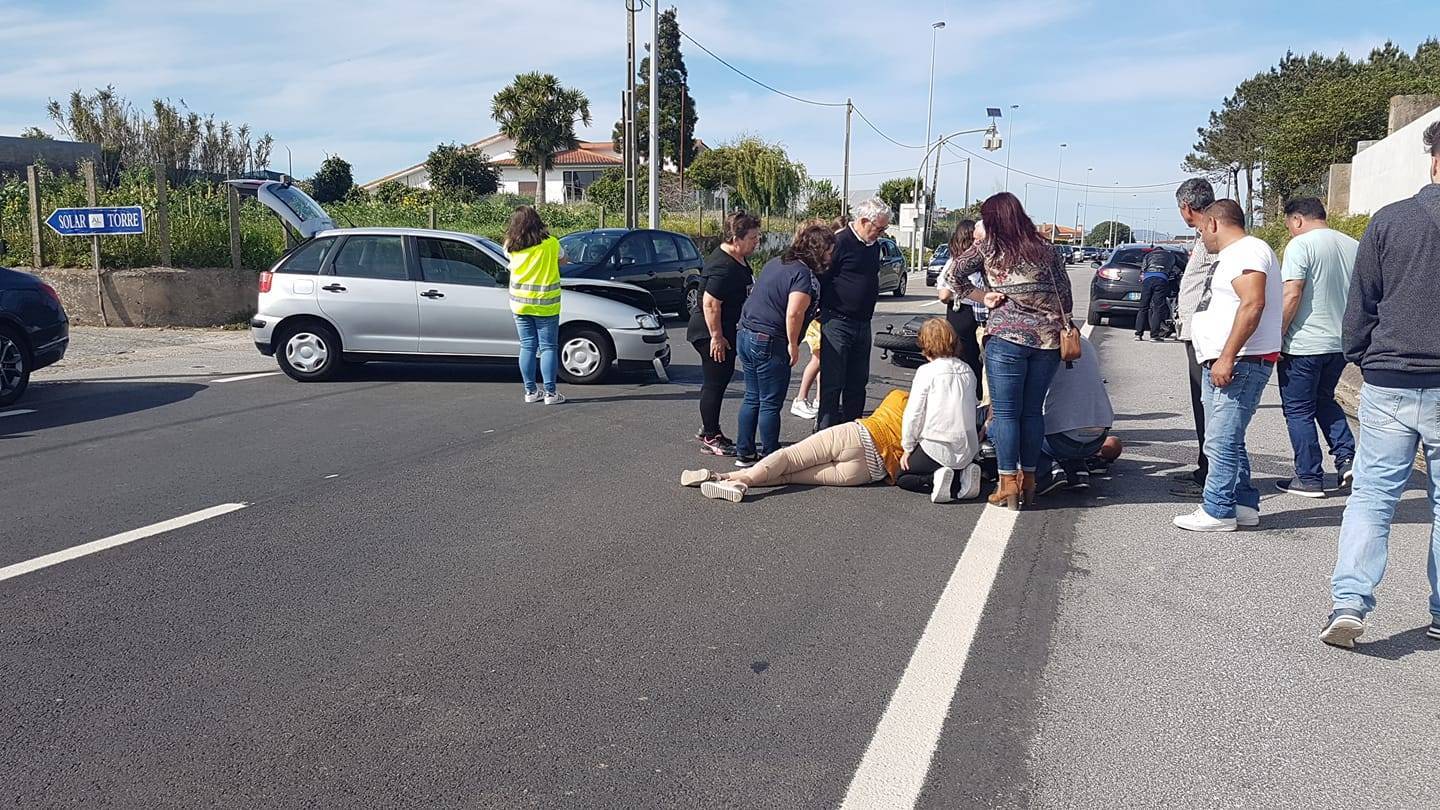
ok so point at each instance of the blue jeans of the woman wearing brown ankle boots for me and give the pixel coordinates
(1020, 380)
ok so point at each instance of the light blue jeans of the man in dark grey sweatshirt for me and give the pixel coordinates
(1393, 424)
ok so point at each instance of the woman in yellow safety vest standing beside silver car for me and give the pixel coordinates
(535, 301)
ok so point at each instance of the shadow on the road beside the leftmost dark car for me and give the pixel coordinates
(61, 404)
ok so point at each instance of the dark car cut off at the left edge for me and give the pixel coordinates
(34, 331)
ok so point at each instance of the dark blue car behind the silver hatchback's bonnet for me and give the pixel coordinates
(660, 262)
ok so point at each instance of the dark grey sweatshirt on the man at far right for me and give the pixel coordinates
(1392, 328)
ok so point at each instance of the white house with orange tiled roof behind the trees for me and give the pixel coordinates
(572, 172)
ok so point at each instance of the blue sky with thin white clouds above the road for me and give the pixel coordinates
(1124, 83)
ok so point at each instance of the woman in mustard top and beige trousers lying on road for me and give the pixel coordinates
(846, 456)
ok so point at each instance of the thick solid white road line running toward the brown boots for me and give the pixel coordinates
(898, 760)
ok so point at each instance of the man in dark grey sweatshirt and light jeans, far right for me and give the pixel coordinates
(1390, 334)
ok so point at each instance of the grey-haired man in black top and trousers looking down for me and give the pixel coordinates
(847, 302)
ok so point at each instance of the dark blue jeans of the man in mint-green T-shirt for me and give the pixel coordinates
(1308, 394)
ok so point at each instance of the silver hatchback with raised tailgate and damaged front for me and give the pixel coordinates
(358, 295)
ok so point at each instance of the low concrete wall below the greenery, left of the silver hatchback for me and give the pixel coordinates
(156, 296)
